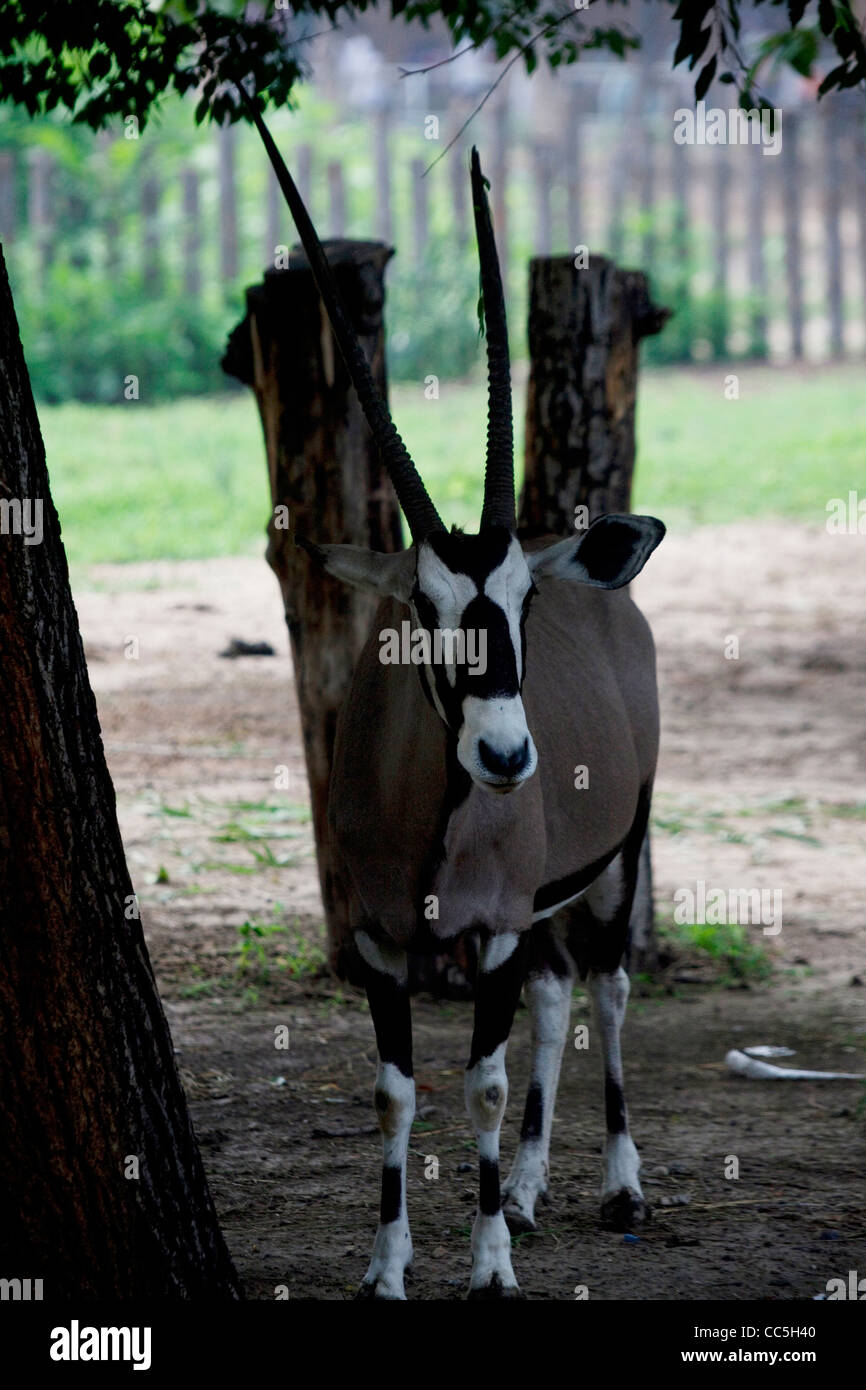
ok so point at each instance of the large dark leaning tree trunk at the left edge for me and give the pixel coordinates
(102, 1188)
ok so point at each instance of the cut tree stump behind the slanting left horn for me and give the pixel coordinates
(326, 471)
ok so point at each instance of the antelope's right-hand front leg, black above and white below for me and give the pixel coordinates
(500, 982)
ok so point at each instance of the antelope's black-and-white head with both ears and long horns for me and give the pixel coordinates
(468, 596)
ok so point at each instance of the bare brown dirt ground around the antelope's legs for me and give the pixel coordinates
(761, 785)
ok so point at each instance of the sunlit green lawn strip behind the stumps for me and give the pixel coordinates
(188, 480)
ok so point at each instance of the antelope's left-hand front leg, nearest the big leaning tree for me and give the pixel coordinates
(387, 985)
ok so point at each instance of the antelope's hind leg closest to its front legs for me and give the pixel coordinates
(548, 995)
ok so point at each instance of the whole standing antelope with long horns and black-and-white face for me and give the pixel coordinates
(454, 804)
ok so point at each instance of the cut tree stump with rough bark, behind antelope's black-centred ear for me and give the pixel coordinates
(585, 333)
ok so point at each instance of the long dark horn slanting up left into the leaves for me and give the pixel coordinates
(412, 494)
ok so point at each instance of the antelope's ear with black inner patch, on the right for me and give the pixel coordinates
(608, 555)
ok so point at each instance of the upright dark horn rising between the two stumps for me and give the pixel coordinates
(500, 473)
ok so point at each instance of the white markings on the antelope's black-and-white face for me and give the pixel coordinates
(497, 722)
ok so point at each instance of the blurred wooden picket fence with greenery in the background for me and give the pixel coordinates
(758, 255)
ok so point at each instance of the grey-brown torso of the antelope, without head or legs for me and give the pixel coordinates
(590, 697)
